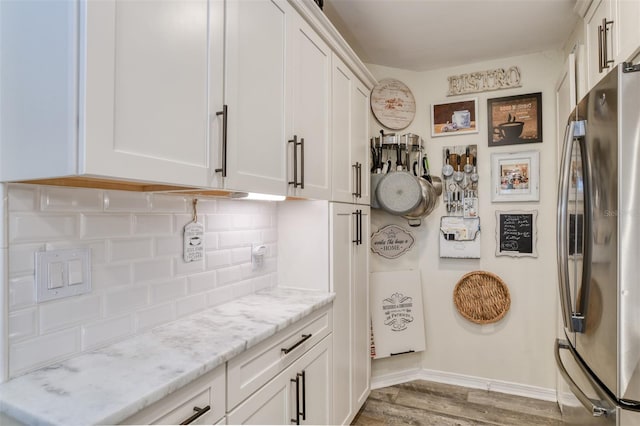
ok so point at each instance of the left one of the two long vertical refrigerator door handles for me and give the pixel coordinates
(561, 228)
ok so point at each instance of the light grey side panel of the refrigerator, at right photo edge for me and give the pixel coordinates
(629, 236)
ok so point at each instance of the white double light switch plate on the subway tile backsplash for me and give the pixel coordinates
(62, 273)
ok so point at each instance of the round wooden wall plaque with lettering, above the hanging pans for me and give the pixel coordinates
(393, 104)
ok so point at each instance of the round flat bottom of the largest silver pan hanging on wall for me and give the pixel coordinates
(399, 193)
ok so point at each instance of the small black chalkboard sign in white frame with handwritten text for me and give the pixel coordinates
(516, 233)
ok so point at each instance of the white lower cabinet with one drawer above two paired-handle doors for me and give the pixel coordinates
(286, 378)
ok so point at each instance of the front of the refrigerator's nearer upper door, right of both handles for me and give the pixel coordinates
(598, 294)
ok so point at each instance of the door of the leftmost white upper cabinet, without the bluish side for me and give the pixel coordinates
(146, 94)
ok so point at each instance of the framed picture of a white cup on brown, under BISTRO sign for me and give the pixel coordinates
(454, 118)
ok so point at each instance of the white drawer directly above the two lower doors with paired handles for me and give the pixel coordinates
(253, 368)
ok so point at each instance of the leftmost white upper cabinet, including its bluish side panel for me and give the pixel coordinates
(114, 89)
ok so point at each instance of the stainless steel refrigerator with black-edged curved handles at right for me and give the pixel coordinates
(598, 232)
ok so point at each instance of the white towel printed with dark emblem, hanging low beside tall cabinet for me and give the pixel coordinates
(396, 312)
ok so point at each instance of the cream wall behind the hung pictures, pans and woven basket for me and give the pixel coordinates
(519, 348)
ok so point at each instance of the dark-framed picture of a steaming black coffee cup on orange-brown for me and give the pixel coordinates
(515, 119)
